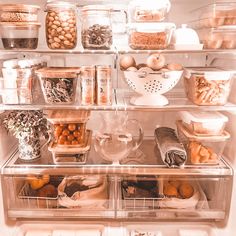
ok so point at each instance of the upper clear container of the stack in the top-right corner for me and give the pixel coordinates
(215, 15)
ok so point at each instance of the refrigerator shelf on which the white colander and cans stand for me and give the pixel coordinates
(121, 101)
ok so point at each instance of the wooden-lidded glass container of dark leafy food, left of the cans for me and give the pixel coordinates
(59, 84)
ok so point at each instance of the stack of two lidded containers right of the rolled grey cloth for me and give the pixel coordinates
(203, 135)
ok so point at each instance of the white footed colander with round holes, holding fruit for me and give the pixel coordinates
(151, 86)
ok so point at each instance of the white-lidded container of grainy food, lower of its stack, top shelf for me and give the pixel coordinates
(150, 35)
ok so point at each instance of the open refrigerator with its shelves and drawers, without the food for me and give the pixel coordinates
(211, 212)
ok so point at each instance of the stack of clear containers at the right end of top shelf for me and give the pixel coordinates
(215, 25)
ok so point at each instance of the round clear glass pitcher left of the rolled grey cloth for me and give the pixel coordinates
(118, 136)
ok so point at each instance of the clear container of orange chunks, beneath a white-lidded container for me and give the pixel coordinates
(202, 150)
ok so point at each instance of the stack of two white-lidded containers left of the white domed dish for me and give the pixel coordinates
(144, 31)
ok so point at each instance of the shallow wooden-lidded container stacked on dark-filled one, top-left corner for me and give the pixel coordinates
(18, 13)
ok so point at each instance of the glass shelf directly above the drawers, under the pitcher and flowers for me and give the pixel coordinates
(96, 165)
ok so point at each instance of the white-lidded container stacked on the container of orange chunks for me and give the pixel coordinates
(203, 123)
